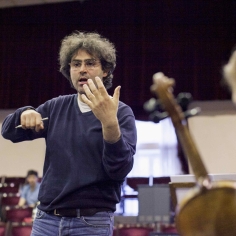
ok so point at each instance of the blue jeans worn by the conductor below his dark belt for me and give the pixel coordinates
(100, 224)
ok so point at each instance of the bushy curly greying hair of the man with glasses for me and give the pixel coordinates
(95, 45)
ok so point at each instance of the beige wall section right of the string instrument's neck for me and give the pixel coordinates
(214, 133)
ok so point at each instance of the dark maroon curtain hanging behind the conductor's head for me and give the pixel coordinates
(187, 40)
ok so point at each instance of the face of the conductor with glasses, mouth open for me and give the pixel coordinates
(83, 66)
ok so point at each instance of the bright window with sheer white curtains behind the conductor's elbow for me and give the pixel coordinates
(156, 153)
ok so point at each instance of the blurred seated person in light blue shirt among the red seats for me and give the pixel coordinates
(29, 192)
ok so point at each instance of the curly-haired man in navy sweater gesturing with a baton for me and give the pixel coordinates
(90, 142)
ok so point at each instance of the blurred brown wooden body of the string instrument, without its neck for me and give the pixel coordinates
(208, 212)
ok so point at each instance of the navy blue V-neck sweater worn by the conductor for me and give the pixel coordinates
(81, 170)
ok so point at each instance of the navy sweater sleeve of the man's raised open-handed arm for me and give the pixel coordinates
(118, 157)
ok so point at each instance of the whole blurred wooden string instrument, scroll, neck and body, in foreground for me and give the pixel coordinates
(209, 209)
